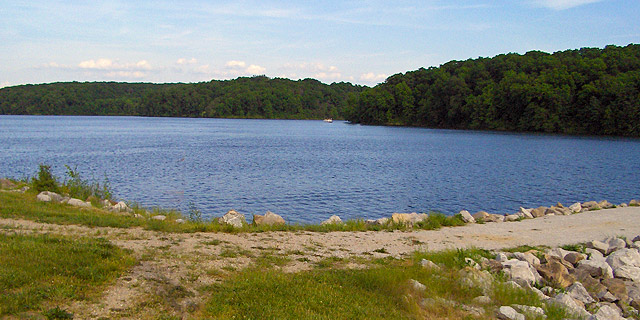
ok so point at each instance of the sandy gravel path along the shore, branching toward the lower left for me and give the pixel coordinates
(186, 262)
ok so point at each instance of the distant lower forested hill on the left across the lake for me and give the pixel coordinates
(255, 97)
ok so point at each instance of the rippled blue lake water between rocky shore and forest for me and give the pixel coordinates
(309, 170)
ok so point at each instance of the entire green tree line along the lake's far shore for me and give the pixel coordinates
(585, 91)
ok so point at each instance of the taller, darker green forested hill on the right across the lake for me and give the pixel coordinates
(585, 91)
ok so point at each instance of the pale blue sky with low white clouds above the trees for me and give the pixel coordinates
(357, 41)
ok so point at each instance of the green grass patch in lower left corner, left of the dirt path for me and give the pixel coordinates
(39, 271)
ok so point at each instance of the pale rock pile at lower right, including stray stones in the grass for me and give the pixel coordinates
(597, 281)
